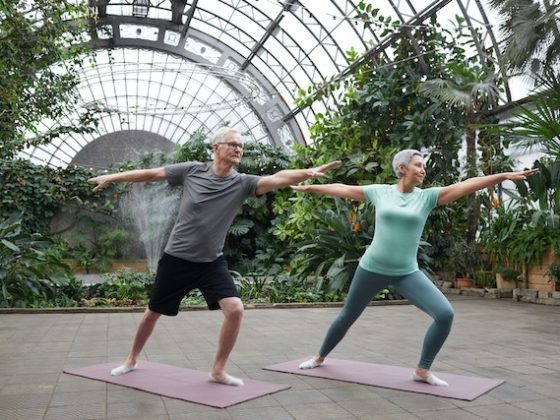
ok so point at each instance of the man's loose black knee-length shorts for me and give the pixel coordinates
(176, 277)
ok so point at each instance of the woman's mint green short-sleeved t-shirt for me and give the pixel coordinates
(399, 222)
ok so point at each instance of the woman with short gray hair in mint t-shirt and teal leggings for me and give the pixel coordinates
(401, 213)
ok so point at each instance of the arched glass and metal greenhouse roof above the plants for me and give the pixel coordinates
(172, 68)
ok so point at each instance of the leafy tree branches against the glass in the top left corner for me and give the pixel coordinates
(43, 46)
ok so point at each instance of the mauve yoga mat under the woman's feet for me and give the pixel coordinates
(394, 377)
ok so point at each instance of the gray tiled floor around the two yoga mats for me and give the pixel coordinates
(518, 342)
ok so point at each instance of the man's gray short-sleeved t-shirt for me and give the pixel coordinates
(208, 206)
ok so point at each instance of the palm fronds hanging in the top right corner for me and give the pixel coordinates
(531, 33)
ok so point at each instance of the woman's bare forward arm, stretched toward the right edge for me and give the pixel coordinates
(453, 192)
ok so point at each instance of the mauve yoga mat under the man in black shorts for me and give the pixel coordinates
(180, 383)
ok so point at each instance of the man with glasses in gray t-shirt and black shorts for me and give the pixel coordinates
(213, 192)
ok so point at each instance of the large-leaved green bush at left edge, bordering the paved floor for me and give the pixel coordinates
(30, 266)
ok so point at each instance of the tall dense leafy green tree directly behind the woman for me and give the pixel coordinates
(378, 112)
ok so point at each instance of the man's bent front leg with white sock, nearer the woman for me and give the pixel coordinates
(232, 309)
